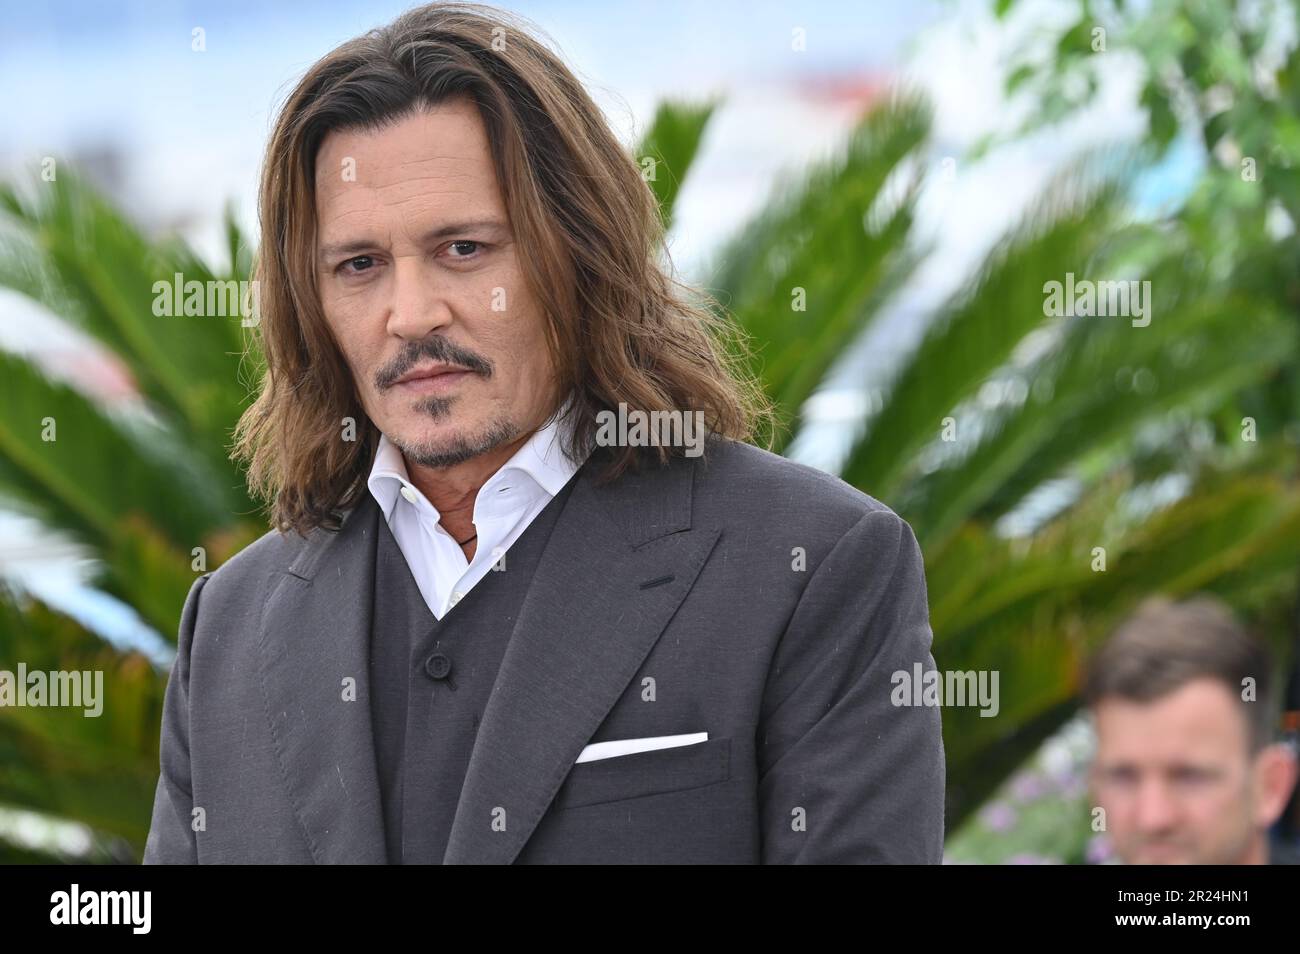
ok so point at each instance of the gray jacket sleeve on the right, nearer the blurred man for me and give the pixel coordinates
(846, 775)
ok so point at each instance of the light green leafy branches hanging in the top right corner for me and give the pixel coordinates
(1223, 80)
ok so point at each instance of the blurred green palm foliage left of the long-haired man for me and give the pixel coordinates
(146, 485)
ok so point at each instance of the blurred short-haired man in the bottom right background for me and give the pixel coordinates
(1188, 767)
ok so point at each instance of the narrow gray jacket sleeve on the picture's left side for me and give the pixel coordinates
(171, 840)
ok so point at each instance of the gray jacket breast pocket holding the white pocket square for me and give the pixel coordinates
(647, 774)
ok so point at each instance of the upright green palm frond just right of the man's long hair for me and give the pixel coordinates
(811, 272)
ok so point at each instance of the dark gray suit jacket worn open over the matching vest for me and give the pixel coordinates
(739, 595)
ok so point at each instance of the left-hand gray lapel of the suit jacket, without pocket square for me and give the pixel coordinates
(315, 635)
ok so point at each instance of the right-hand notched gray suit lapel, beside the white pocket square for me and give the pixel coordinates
(618, 565)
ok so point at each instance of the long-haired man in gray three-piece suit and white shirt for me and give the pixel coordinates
(530, 593)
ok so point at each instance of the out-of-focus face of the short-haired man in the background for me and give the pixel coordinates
(1176, 778)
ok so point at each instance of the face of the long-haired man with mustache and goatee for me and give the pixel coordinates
(417, 266)
